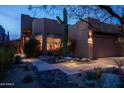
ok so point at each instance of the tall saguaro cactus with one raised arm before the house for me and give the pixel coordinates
(65, 30)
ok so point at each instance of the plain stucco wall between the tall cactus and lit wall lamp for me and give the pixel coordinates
(79, 33)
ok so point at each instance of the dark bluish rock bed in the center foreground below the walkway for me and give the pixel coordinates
(55, 79)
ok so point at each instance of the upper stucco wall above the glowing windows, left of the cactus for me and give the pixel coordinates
(46, 25)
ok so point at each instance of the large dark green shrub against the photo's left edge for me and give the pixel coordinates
(6, 58)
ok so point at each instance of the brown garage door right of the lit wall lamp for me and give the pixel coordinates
(104, 46)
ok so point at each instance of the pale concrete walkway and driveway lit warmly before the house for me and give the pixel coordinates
(72, 67)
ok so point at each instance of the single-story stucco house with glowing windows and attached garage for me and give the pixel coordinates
(94, 40)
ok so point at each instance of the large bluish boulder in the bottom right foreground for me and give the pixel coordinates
(109, 80)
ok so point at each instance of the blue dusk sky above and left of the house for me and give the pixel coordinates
(10, 18)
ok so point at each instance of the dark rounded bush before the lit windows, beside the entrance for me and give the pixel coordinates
(32, 48)
